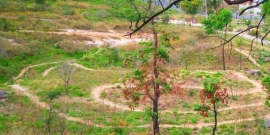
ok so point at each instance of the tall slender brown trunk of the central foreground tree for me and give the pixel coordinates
(156, 86)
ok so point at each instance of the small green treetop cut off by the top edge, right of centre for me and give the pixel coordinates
(191, 7)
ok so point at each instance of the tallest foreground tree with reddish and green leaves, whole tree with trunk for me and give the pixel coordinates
(152, 79)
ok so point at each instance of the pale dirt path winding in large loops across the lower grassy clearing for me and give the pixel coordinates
(97, 91)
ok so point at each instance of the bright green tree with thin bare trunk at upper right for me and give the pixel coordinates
(217, 23)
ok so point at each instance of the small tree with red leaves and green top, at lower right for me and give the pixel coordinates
(211, 94)
